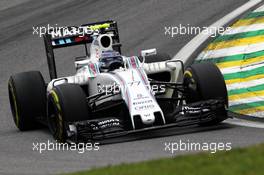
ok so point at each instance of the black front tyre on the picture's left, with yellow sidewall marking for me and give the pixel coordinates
(66, 104)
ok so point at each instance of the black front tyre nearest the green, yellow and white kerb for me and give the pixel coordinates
(204, 81)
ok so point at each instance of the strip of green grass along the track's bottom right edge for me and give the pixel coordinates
(247, 161)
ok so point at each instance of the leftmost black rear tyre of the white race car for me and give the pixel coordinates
(27, 96)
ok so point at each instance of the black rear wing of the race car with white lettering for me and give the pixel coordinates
(62, 37)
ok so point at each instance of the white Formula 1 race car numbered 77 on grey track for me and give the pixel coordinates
(113, 95)
